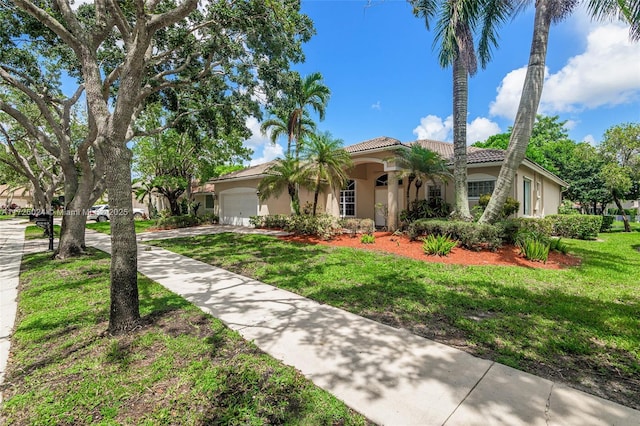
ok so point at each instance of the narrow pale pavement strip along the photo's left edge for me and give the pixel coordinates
(11, 247)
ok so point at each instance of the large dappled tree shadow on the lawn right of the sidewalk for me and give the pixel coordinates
(565, 331)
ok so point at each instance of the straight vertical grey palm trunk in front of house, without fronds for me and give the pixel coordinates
(460, 98)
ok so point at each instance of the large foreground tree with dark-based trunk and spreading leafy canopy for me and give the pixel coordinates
(185, 54)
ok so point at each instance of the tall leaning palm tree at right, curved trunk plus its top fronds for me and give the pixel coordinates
(547, 12)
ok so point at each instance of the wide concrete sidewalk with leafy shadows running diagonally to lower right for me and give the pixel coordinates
(387, 374)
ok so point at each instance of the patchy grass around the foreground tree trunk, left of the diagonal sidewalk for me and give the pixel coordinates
(181, 367)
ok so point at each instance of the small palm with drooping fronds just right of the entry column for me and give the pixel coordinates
(420, 164)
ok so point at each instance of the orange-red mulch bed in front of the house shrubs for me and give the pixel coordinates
(386, 242)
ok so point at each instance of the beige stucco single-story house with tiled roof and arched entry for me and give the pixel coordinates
(373, 180)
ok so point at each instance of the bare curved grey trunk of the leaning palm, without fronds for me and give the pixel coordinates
(526, 115)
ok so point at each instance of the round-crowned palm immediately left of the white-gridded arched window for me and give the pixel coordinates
(326, 163)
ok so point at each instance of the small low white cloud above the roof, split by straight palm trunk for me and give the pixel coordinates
(434, 127)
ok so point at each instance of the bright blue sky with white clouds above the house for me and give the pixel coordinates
(385, 79)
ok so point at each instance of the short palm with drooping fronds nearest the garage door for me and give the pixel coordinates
(284, 173)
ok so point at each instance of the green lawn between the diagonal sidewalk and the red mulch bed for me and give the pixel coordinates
(579, 325)
